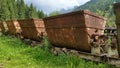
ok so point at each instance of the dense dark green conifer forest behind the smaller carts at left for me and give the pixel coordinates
(17, 9)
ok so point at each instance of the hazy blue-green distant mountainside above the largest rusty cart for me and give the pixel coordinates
(95, 5)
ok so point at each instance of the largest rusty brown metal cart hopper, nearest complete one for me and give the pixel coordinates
(73, 30)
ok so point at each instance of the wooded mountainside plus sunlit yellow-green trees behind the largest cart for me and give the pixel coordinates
(101, 7)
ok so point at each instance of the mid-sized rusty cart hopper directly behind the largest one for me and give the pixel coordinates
(32, 28)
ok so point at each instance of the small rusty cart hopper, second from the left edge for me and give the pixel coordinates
(13, 27)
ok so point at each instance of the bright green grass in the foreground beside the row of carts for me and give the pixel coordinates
(16, 54)
